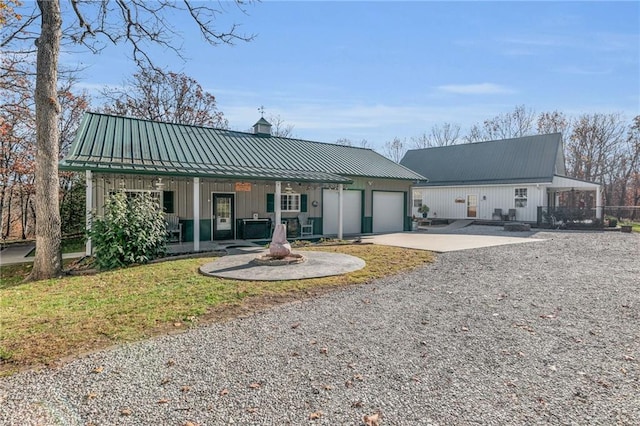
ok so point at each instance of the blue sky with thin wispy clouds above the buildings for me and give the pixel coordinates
(379, 70)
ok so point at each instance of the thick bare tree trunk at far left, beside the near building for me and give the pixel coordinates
(48, 260)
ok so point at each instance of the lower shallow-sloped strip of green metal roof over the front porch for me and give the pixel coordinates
(204, 170)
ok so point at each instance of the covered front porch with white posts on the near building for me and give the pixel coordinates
(209, 212)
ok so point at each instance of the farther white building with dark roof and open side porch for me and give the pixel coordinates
(512, 179)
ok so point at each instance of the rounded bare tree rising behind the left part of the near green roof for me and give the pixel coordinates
(171, 97)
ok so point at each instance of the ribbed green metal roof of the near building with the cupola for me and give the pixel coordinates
(127, 145)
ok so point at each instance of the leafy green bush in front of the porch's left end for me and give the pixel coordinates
(133, 230)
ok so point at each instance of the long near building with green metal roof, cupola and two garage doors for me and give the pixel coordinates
(224, 184)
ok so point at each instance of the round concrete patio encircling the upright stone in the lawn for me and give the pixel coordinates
(318, 264)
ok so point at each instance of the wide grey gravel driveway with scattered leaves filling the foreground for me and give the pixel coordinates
(545, 333)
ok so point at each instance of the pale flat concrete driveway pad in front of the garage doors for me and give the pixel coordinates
(442, 243)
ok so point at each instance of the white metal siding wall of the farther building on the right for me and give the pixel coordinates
(442, 201)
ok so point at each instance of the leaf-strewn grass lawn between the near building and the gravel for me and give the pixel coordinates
(42, 322)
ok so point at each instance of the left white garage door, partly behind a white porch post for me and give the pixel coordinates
(351, 212)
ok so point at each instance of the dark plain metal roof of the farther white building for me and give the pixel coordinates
(529, 159)
